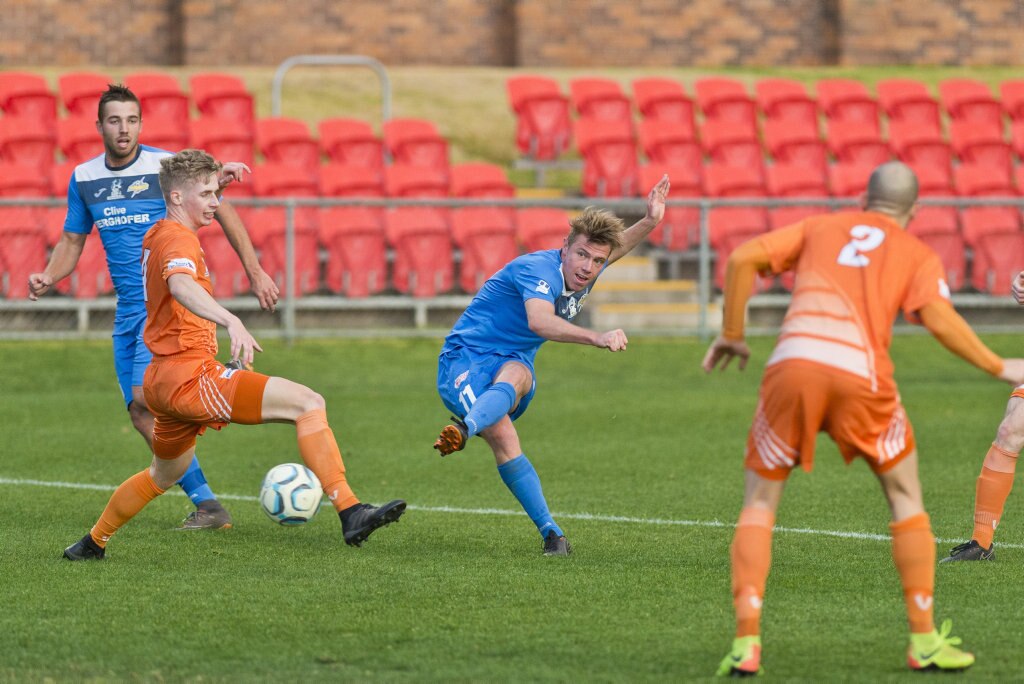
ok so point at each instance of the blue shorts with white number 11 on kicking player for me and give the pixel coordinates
(464, 375)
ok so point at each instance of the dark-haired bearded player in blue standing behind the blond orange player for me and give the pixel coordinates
(119, 192)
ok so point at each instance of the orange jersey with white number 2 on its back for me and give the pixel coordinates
(856, 271)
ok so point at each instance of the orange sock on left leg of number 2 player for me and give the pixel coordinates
(751, 553)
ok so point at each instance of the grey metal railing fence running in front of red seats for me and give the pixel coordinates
(64, 316)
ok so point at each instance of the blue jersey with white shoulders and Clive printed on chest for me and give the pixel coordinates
(123, 203)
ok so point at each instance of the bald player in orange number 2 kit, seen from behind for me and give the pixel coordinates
(831, 372)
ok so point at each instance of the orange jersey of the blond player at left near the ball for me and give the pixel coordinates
(167, 249)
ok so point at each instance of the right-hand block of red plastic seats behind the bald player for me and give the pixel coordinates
(783, 141)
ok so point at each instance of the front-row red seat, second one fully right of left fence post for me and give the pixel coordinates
(423, 261)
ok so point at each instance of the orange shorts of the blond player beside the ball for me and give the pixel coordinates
(190, 393)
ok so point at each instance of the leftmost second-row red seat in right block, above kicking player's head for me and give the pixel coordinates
(609, 150)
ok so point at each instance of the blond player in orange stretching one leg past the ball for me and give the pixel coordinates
(187, 389)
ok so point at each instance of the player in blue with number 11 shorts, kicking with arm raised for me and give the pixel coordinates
(486, 371)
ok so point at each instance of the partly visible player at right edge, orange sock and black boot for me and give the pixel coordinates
(997, 479)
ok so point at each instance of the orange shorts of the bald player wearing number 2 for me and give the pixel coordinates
(800, 399)
